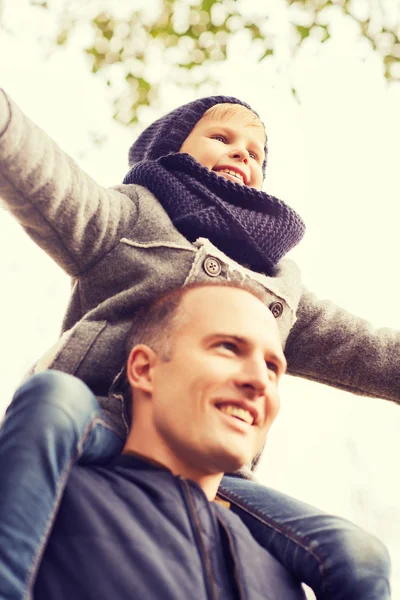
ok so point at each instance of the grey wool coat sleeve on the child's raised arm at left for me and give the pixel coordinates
(75, 220)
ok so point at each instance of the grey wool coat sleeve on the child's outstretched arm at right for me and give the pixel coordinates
(330, 345)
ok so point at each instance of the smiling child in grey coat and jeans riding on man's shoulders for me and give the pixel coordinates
(191, 208)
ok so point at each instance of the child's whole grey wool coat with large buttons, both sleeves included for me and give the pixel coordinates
(121, 250)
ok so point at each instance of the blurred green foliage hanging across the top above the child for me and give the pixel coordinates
(142, 39)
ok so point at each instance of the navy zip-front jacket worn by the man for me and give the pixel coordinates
(132, 530)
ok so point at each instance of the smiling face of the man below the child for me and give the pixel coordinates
(215, 399)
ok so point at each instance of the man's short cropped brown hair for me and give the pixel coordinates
(155, 323)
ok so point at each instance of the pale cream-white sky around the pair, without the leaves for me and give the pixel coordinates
(334, 158)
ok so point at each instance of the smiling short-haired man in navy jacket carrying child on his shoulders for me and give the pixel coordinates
(204, 368)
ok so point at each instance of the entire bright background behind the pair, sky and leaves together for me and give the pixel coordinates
(324, 76)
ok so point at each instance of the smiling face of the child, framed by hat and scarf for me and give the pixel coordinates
(229, 147)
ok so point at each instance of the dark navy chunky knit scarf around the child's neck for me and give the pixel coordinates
(250, 226)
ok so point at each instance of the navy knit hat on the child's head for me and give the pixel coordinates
(167, 134)
